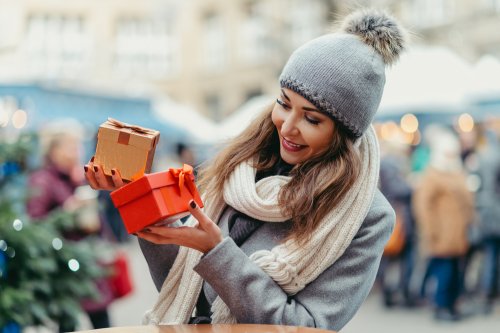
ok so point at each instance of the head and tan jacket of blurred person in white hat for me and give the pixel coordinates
(443, 205)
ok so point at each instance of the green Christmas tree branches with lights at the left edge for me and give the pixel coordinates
(37, 283)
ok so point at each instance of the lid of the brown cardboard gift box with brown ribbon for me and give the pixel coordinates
(141, 137)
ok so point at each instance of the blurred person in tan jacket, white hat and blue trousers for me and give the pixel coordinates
(444, 208)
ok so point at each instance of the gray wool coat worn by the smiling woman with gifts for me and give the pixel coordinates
(328, 302)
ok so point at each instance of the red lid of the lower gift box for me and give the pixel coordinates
(142, 186)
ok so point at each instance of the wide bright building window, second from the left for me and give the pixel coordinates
(145, 48)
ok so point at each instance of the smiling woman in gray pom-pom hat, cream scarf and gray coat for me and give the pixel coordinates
(293, 227)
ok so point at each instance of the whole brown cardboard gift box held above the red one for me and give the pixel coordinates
(128, 148)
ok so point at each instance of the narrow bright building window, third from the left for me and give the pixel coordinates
(214, 44)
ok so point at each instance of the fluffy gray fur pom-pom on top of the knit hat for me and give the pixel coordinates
(378, 30)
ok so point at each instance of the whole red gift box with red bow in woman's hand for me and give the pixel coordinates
(157, 198)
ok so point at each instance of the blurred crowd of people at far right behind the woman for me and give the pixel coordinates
(445, 192)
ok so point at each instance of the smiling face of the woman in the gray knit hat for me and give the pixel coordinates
(304, 132)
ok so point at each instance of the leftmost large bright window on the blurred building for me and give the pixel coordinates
(57, 45)
